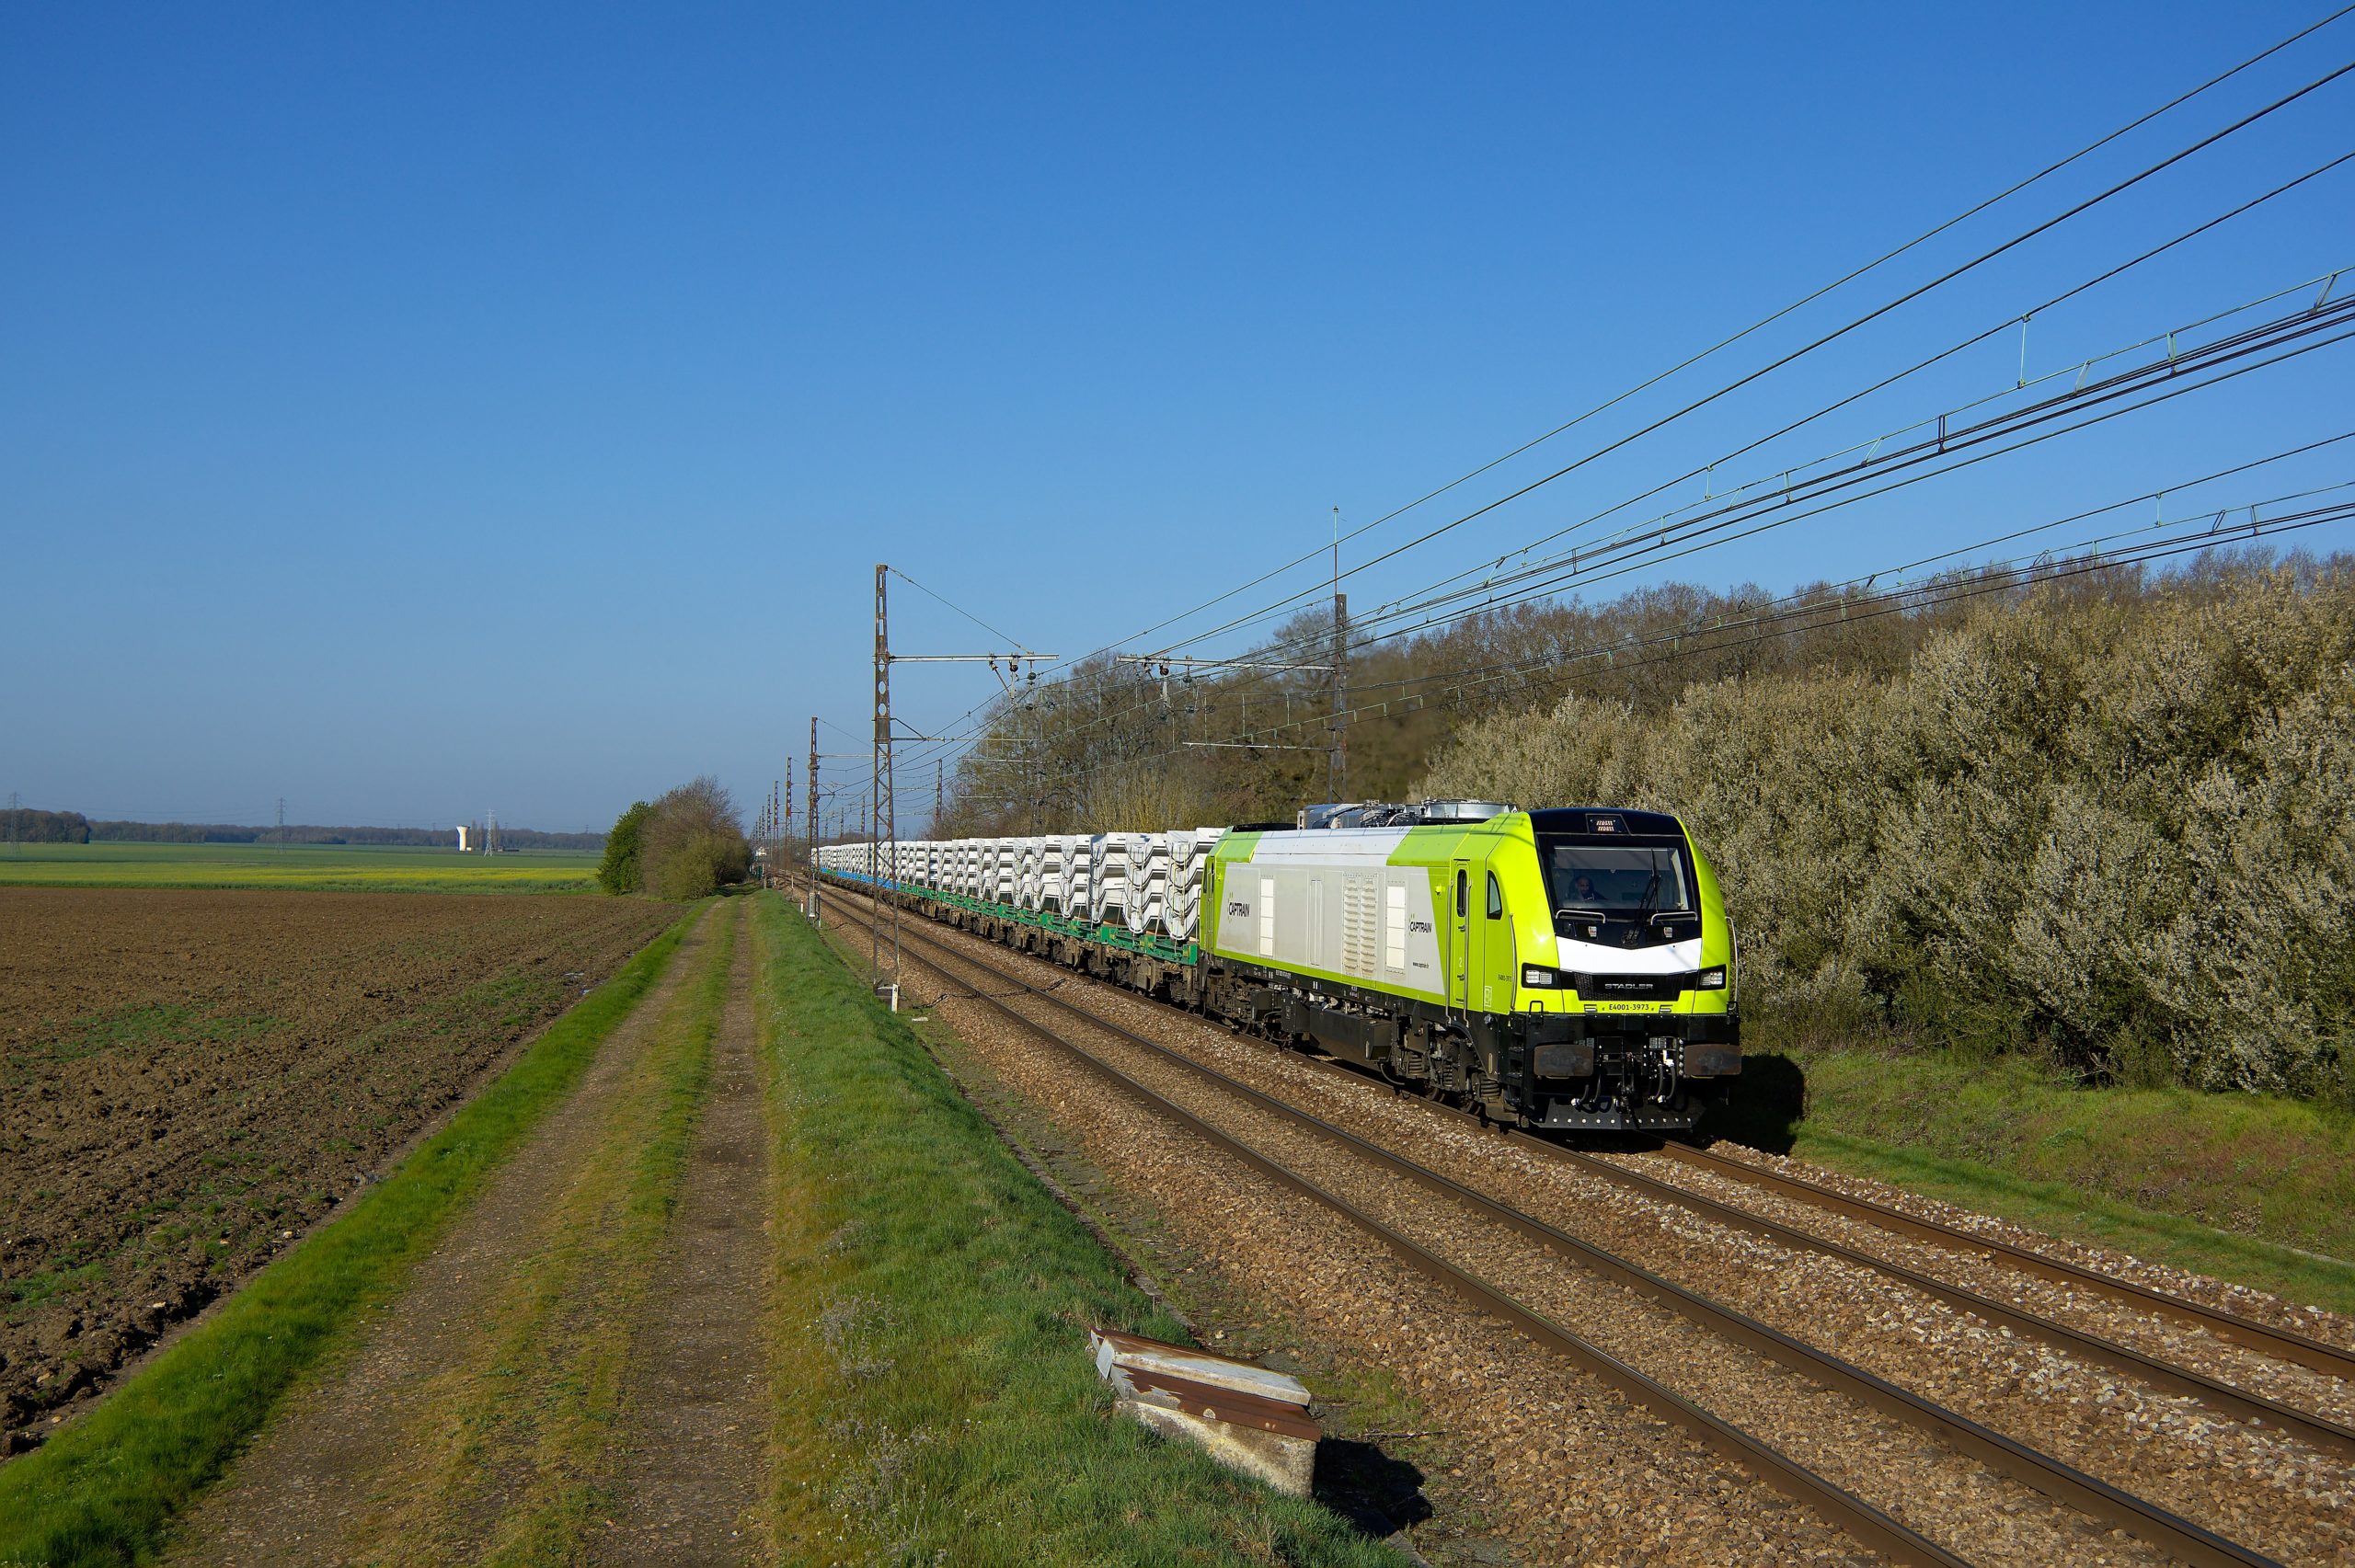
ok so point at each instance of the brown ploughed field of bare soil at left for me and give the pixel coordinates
(190, 1079)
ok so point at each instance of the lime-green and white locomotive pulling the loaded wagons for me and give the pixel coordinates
(1558, 969)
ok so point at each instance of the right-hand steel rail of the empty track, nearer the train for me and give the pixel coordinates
(2062, 1482)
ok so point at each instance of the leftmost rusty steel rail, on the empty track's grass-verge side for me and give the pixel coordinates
(1847, 1513)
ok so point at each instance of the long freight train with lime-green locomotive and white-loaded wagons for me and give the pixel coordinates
(1560, 969)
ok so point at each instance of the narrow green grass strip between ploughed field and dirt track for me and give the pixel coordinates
(105, 1489)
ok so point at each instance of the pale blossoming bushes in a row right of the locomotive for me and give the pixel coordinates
(2116, 830)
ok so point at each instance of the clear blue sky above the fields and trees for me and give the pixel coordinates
(503, 408)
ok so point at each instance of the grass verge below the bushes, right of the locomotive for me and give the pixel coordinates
(2250, 1188)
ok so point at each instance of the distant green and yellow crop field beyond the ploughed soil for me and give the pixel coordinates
(338, 868)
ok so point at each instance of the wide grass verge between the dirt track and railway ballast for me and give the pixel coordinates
(936, 1305)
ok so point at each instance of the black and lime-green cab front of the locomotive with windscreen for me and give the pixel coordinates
(1624, 1009)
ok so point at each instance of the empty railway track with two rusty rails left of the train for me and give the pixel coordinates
(1862, 1520)
